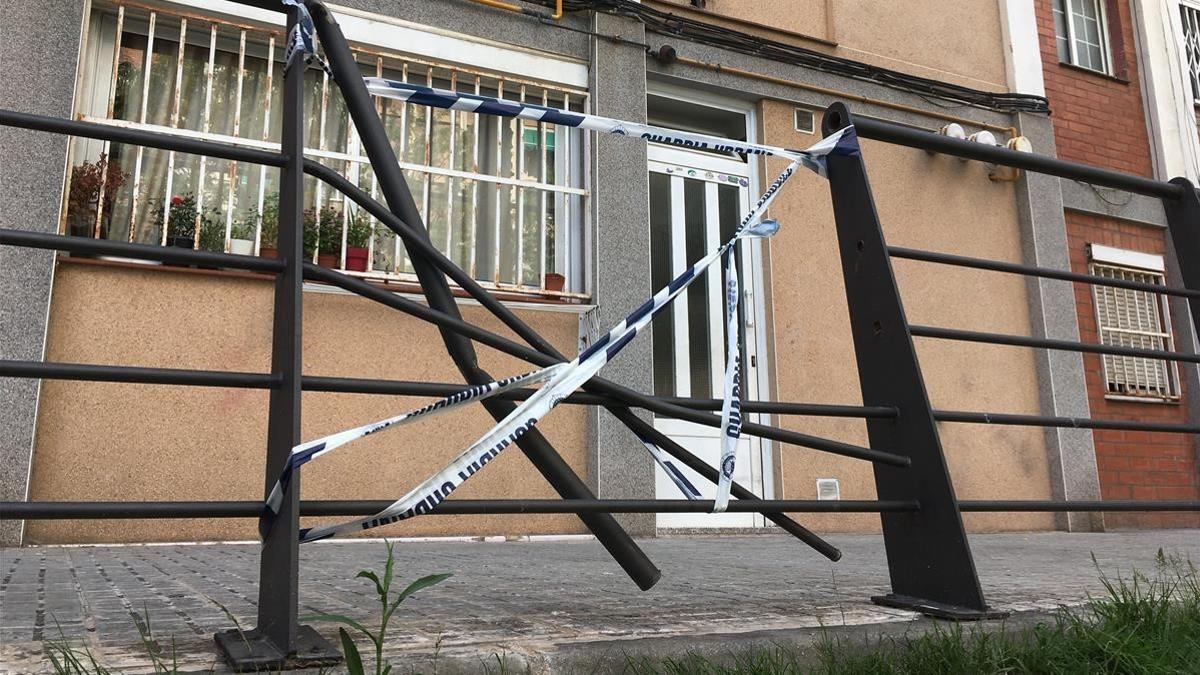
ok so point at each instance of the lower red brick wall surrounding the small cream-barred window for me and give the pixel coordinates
(1133, 465)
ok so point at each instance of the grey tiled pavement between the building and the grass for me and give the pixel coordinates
(521, 595)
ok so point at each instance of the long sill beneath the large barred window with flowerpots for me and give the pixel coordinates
(567, 302)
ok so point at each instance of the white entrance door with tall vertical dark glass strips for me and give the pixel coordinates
(697, 202)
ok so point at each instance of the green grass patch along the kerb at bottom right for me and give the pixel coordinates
(1142, 625)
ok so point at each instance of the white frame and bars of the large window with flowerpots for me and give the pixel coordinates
(374, 34)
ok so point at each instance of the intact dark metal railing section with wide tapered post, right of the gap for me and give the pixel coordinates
(890, 372)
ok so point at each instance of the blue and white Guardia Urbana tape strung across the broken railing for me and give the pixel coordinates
(565, 379)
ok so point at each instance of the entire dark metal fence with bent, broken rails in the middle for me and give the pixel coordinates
(928, 553)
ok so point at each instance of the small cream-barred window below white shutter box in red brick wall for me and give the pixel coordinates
(1135, 319)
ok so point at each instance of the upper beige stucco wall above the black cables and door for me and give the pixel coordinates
(959, 43)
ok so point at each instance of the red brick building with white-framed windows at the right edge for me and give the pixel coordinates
(1114, 109)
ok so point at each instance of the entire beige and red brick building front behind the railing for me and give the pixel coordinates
(574, 230)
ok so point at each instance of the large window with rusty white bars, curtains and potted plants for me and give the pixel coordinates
(501, 198)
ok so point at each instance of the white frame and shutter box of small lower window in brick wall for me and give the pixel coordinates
(1147, 265)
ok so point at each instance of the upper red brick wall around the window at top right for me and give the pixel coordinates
(1097, 120)
